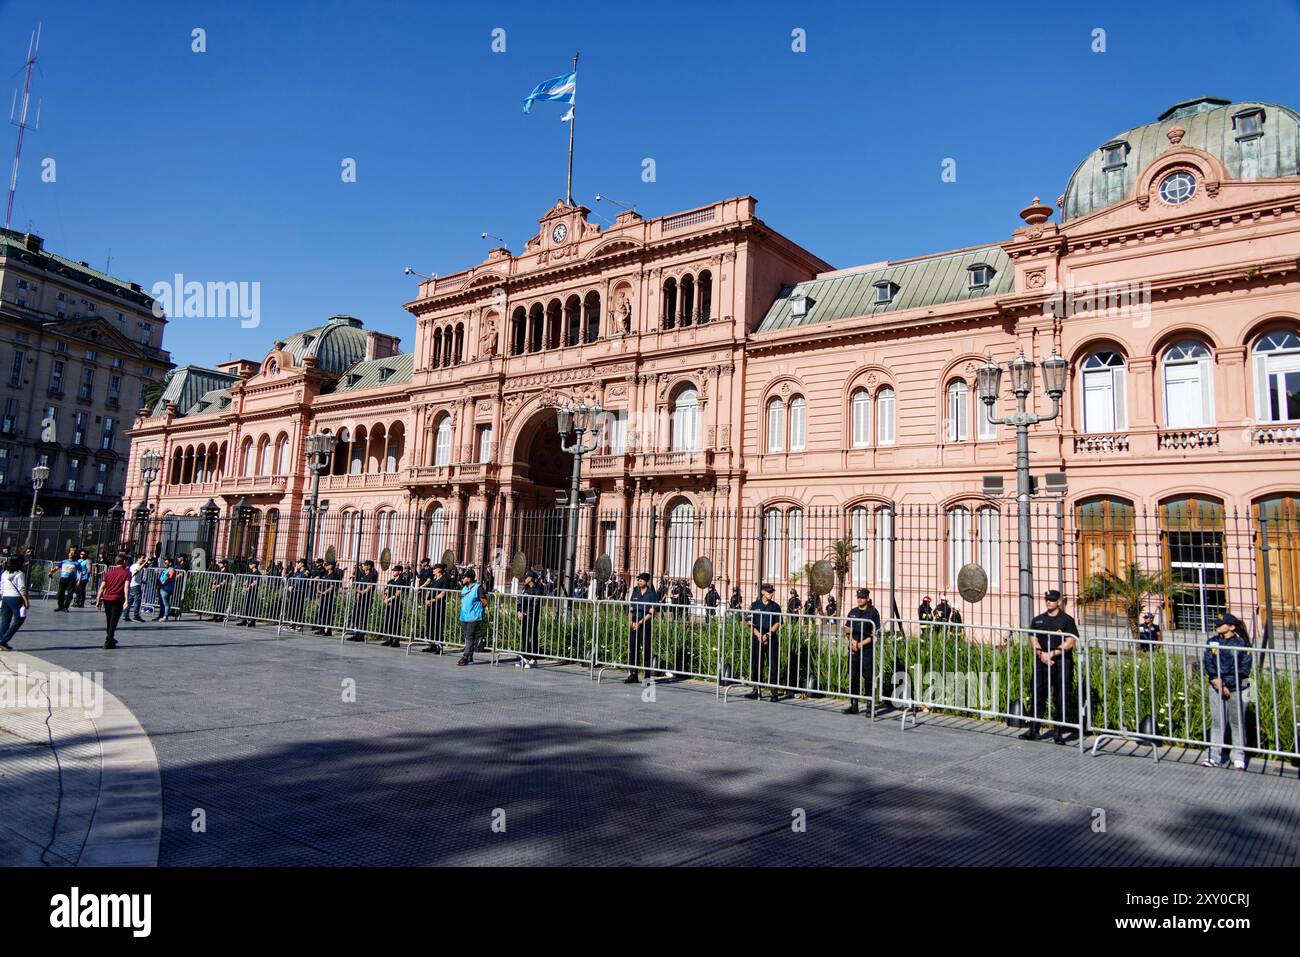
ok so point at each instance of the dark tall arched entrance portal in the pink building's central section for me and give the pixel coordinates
(539, 467)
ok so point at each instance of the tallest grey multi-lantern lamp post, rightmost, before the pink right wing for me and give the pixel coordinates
(990, 383)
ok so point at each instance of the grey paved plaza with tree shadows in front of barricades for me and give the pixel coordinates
(306, 751)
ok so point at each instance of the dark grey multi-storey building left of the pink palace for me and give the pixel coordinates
(79, 348)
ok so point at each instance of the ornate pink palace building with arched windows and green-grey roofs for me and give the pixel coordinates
(764, 405)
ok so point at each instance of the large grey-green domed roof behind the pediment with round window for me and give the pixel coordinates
(1210, 124)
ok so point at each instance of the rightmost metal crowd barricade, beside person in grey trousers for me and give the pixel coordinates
(1159, 692)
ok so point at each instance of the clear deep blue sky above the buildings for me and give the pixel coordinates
(226, 166)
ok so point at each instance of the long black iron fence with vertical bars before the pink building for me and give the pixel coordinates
(1184, 564)
